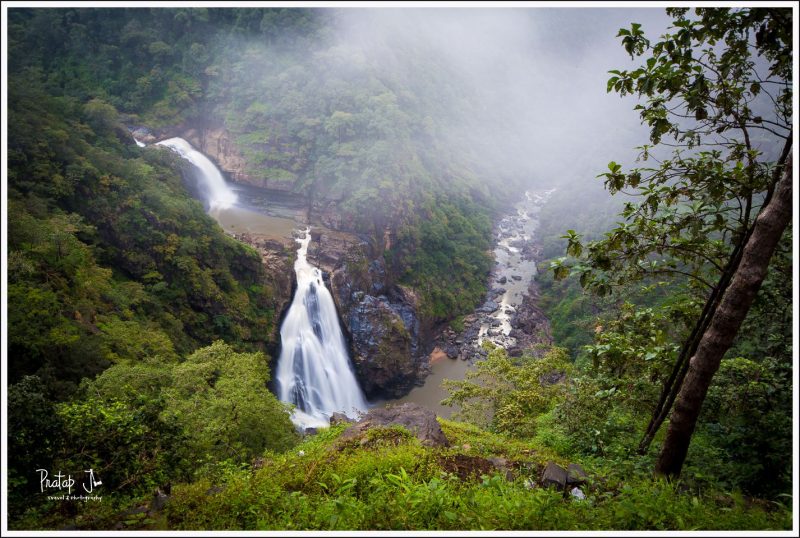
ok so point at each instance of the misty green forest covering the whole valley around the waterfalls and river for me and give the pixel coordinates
(143, 337)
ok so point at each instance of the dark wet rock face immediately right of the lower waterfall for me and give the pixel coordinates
(380, 319)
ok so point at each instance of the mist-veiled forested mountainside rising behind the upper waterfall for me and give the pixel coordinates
(336, 123)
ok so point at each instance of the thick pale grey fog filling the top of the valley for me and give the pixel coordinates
(538, 75)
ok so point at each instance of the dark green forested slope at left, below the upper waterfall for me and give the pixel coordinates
(109, 258)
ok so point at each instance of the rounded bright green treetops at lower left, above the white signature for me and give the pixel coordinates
(141, 424)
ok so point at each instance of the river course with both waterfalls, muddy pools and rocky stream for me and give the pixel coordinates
(314, 370)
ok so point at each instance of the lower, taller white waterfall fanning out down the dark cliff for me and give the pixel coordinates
(314, 370)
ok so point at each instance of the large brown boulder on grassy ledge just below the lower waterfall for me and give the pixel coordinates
(414, 417)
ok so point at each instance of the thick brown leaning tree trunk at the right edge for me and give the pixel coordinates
(717, 339)
